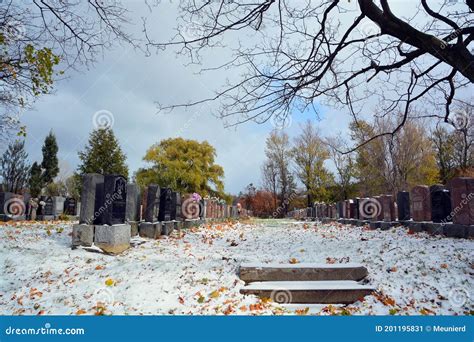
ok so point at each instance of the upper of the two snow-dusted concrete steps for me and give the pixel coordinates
(305, 271)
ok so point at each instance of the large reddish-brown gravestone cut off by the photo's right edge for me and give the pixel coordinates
(462, 200)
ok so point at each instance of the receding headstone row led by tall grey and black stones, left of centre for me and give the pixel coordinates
(112, 212)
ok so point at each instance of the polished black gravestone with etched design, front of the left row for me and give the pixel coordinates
(115, 199)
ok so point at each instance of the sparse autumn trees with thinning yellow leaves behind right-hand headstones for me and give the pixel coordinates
(297, 173)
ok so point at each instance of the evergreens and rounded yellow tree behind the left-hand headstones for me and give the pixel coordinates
(186, 166)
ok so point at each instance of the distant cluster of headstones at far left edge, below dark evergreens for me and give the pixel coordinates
(20, 207)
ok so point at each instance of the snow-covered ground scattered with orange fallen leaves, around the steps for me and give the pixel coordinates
(196, 272)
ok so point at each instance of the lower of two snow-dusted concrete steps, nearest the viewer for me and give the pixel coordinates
(309, 292)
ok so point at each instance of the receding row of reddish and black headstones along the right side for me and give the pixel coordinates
(436, 209)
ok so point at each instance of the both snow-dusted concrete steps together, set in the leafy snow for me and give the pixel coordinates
(306, 283)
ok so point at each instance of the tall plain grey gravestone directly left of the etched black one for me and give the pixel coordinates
(92, 184)
